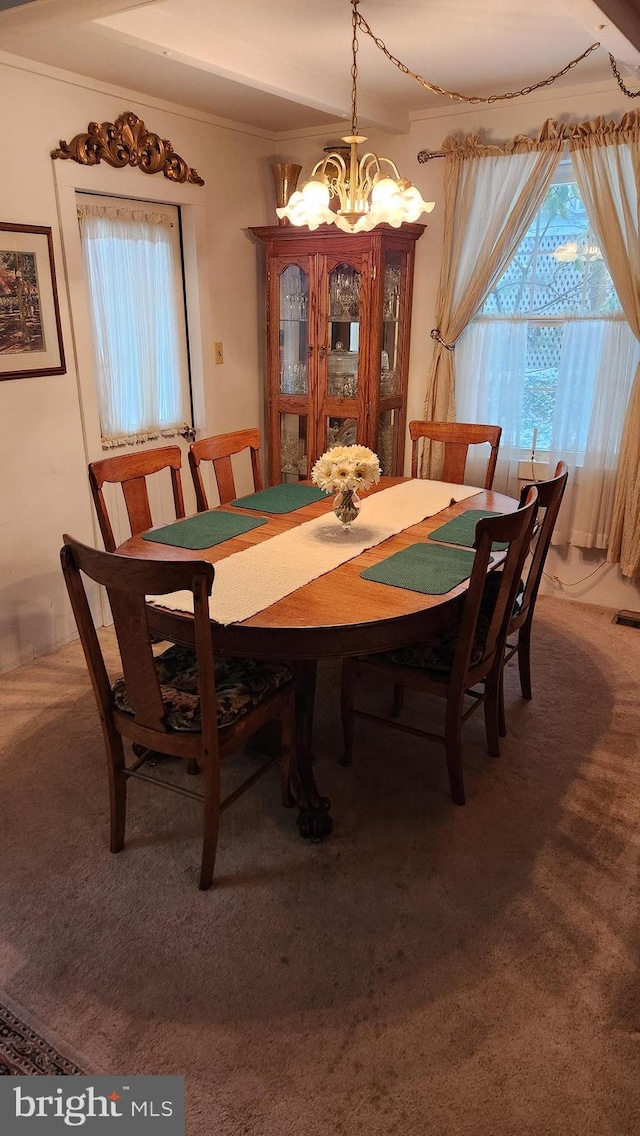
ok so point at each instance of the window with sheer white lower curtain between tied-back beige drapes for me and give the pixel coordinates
(551, 336)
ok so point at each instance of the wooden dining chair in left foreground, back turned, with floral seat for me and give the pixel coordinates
(186, 703)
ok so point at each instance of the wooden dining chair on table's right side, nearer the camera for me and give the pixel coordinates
(468, 655)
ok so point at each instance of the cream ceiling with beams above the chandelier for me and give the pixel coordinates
(284, 66)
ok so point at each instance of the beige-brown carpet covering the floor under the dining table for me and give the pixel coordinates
(427, 971)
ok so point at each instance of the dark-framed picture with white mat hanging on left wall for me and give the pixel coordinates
(31, 339)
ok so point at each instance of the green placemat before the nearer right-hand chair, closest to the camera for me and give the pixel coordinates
(423, 569)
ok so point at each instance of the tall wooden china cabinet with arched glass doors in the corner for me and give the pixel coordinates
(338, 344)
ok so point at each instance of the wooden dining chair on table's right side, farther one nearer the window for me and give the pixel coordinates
(550, 498)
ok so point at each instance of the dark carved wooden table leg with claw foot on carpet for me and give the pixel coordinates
(314, 821)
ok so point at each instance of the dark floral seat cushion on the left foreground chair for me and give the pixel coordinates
(240, 686)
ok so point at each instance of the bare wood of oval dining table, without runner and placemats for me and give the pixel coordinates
(337, 615)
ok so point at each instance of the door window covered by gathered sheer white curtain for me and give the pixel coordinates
(132, 254)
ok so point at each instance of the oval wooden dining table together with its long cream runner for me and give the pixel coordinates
(338, 613)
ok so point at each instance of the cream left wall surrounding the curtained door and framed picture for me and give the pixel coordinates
(44, 461)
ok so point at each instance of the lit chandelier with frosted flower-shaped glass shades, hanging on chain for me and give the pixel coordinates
(370, 190)
